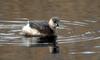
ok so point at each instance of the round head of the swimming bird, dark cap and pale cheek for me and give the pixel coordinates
(54, 22)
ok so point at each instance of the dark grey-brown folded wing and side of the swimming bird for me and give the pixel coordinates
(43, 27)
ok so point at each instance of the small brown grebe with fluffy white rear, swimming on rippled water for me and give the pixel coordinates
(41, 28)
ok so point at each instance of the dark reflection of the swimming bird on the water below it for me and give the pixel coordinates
(45, 41)
